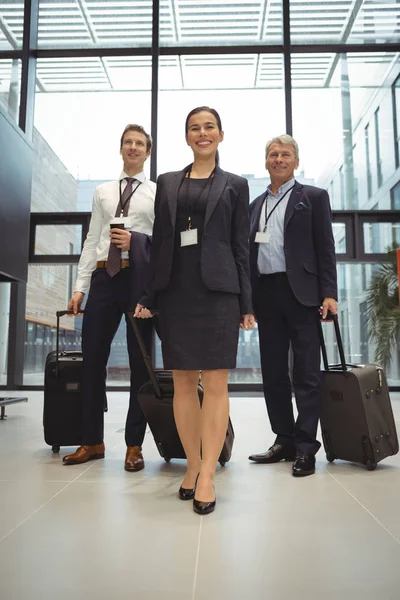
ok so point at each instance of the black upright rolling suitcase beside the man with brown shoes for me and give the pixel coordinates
(62, 409)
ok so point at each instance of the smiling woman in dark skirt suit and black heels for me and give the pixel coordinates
(200, 283)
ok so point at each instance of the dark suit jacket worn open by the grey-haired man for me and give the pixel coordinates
(308, 245)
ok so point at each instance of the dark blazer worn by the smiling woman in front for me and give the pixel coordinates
(224, 245)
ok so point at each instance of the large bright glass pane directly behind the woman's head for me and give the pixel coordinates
(239, 88)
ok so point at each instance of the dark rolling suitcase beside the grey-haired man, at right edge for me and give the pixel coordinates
(357, 421)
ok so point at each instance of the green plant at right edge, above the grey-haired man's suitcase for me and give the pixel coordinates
(383, 308)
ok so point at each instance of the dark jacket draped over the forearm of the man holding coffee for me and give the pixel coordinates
(139, 260)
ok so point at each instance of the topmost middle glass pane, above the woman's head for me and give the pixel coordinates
(227, 22)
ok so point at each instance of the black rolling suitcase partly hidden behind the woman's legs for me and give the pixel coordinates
(155, 399)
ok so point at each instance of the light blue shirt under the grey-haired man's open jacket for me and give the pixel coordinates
(271, 256)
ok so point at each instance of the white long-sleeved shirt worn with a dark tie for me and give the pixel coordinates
(105, 201)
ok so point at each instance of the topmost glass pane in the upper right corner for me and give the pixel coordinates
(344, 21)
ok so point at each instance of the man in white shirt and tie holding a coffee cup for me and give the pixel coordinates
(105, 268)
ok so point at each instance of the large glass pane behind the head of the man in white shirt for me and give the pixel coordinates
(77, 134)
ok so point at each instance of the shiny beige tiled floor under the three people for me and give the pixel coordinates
(96, 532)
